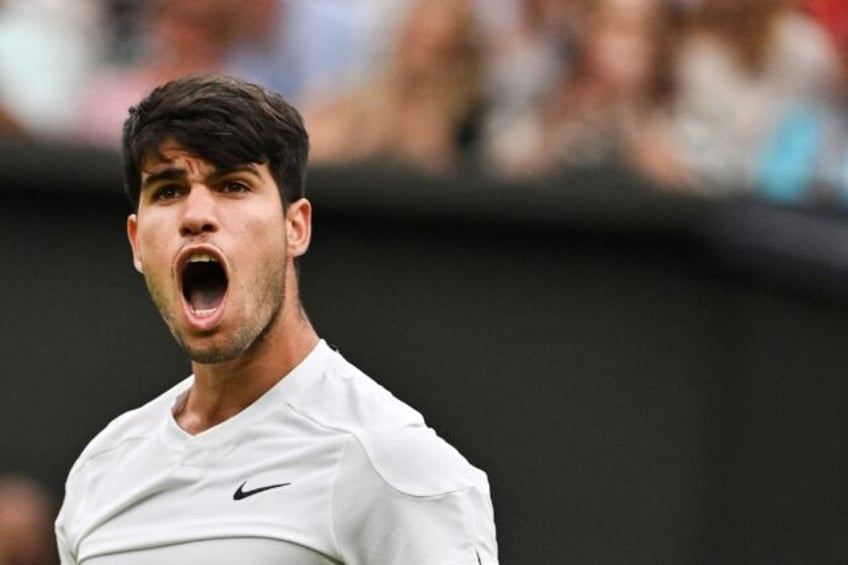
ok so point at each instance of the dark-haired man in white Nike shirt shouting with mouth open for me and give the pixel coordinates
(276, 449)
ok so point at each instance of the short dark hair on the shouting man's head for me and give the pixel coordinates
(224, 120)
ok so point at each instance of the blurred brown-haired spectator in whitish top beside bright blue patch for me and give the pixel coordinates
(743, 68)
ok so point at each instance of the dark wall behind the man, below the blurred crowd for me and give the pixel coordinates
(646, 378)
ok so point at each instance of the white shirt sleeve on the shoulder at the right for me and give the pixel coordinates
(411, 499)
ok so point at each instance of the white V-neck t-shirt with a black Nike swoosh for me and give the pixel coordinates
(325, 468)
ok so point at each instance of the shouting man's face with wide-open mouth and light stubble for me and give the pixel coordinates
(212, 245)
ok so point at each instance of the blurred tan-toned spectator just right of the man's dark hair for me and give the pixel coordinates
(420, 107)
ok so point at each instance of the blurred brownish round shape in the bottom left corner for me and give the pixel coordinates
(27, 512)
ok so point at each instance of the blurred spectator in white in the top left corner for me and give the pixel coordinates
(48, 49)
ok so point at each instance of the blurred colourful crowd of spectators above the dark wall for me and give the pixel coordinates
(713, 97)
